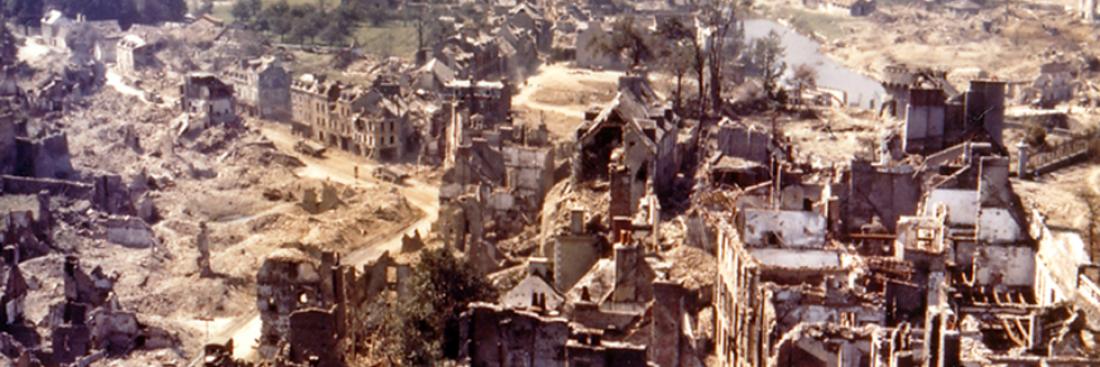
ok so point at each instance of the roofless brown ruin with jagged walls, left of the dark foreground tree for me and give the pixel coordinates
(309, 305)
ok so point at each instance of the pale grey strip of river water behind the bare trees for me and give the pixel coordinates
(862, 90)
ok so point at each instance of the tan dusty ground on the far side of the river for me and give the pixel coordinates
(1018, 40)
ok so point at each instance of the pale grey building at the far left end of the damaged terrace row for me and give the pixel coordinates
(263, 88)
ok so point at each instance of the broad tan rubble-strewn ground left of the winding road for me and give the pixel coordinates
(219, 177)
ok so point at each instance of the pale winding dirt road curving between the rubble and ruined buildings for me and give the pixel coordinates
(339, 168)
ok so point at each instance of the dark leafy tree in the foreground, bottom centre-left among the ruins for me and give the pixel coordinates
(443, 286)
